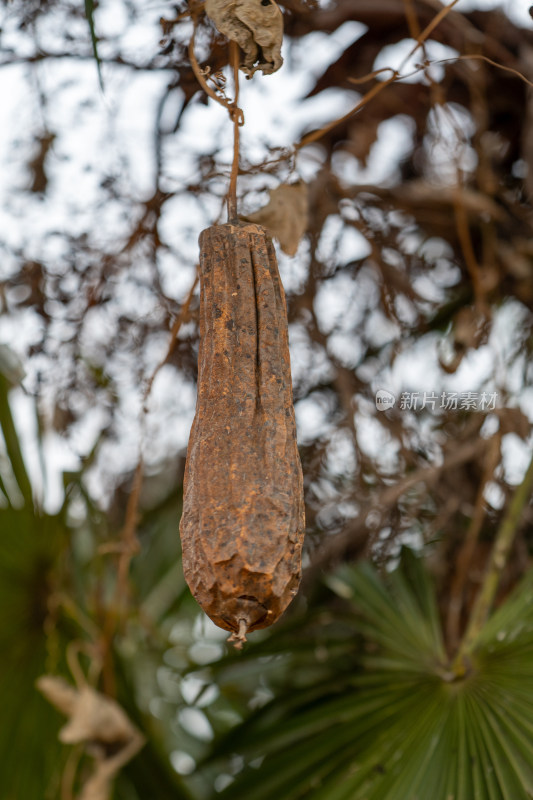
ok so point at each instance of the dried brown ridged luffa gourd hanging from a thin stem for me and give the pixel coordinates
(242, 526)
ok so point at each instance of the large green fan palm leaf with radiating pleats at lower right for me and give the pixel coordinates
(403, 725)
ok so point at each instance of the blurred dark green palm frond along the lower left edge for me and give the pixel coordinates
(30, 546)
